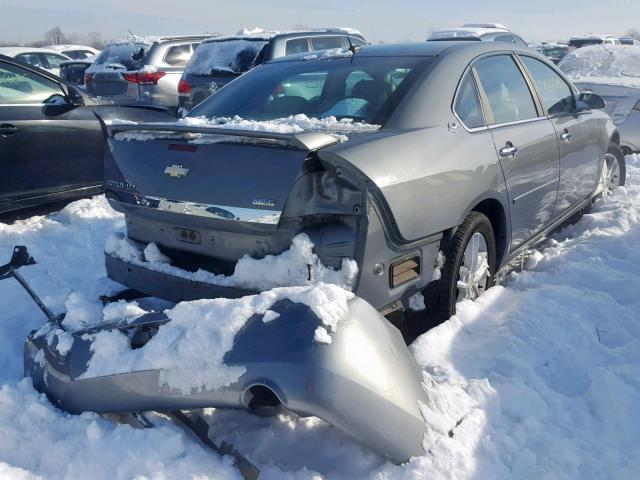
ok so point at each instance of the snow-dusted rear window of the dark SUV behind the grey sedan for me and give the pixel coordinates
(232, 56)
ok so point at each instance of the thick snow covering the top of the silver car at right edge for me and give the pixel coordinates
(610, 64)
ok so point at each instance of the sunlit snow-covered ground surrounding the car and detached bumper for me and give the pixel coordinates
(540, 378)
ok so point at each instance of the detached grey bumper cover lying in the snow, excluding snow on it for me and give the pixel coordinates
(365, 382)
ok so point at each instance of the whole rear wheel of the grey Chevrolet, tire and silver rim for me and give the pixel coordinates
(471, 264)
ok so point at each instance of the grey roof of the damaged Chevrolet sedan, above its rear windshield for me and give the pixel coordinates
(422, 49)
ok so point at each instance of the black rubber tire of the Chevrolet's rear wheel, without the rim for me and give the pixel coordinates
(447, 296)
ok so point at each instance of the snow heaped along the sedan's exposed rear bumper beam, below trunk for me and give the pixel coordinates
(296, 266)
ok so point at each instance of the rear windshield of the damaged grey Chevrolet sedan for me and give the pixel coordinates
(365, 89)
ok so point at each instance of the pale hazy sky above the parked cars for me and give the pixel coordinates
(26, 20)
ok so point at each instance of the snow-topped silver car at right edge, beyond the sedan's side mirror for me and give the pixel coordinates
(612, 72)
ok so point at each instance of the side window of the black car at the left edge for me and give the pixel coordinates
(18, 86)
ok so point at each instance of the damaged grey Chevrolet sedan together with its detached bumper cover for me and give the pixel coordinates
(304, 205)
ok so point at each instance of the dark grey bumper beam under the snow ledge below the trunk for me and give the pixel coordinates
(166, 286)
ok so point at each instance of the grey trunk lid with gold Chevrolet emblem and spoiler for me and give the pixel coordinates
(214, 174)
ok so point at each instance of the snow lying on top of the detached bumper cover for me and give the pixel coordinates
(189, 350)
